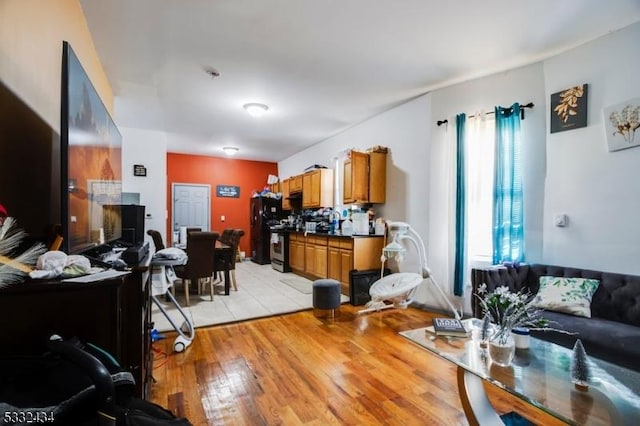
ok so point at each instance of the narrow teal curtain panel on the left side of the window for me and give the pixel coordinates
(460, 249)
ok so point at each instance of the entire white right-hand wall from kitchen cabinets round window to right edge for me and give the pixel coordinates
(569, 172)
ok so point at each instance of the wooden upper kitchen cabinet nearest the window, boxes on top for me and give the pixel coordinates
(364, 178)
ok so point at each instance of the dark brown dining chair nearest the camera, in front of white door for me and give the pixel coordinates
(200, 265)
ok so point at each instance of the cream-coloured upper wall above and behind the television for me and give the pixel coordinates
(31, 35)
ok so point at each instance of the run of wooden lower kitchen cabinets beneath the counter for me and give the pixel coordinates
(317, 255)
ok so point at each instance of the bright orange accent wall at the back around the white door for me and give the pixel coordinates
(250, 176)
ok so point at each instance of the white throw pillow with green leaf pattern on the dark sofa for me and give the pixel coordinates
(568, 295)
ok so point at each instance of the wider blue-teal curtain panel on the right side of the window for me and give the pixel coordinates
(508, 215)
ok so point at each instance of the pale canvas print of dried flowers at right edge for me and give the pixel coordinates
(621, 122)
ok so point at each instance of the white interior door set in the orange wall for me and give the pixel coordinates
(191, 206)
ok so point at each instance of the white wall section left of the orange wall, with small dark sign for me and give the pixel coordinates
(148, 148)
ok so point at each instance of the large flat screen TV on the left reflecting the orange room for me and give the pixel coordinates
(92, 162)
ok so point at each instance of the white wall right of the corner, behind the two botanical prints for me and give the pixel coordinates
(597, 189)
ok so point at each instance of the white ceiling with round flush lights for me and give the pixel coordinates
(321, 65)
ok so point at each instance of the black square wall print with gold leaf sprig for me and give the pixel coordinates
(569, 109)
